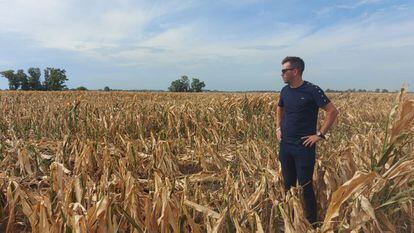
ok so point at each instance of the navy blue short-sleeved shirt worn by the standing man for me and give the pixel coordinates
(301, 106)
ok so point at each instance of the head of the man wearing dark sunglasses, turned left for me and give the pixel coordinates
(292, 68)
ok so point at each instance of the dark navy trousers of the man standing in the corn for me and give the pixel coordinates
(297, 163)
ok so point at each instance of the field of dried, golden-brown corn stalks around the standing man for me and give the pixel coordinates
(163, 162)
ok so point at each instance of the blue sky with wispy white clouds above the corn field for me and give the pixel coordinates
(230, 45)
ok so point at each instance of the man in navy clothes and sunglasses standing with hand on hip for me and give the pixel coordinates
(297, 114)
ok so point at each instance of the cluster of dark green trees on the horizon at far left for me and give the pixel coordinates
(54, 79)
